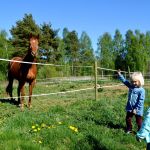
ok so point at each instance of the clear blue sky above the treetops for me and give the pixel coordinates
(95, 17)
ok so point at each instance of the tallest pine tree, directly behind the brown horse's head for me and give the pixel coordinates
(21, 32)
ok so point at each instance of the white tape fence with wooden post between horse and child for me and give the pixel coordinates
(97, 75)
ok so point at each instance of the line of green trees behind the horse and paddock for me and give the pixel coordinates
(118, 52)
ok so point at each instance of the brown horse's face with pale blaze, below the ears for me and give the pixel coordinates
(34, 45)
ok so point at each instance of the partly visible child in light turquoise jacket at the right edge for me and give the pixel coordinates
(144, 132)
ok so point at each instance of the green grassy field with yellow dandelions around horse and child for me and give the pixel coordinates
(71, 121)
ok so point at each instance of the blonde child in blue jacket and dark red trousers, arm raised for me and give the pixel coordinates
(136, 97)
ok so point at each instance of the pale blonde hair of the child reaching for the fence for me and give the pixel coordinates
(137, 76)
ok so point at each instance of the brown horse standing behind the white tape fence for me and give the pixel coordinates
(23, 72)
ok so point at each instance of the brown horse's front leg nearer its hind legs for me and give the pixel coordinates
(21, 90)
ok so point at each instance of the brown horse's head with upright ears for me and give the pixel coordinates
(34, 42)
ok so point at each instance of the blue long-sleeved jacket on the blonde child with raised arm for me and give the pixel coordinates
(136, 97)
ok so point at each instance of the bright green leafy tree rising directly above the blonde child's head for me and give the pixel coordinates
(136, 57)
